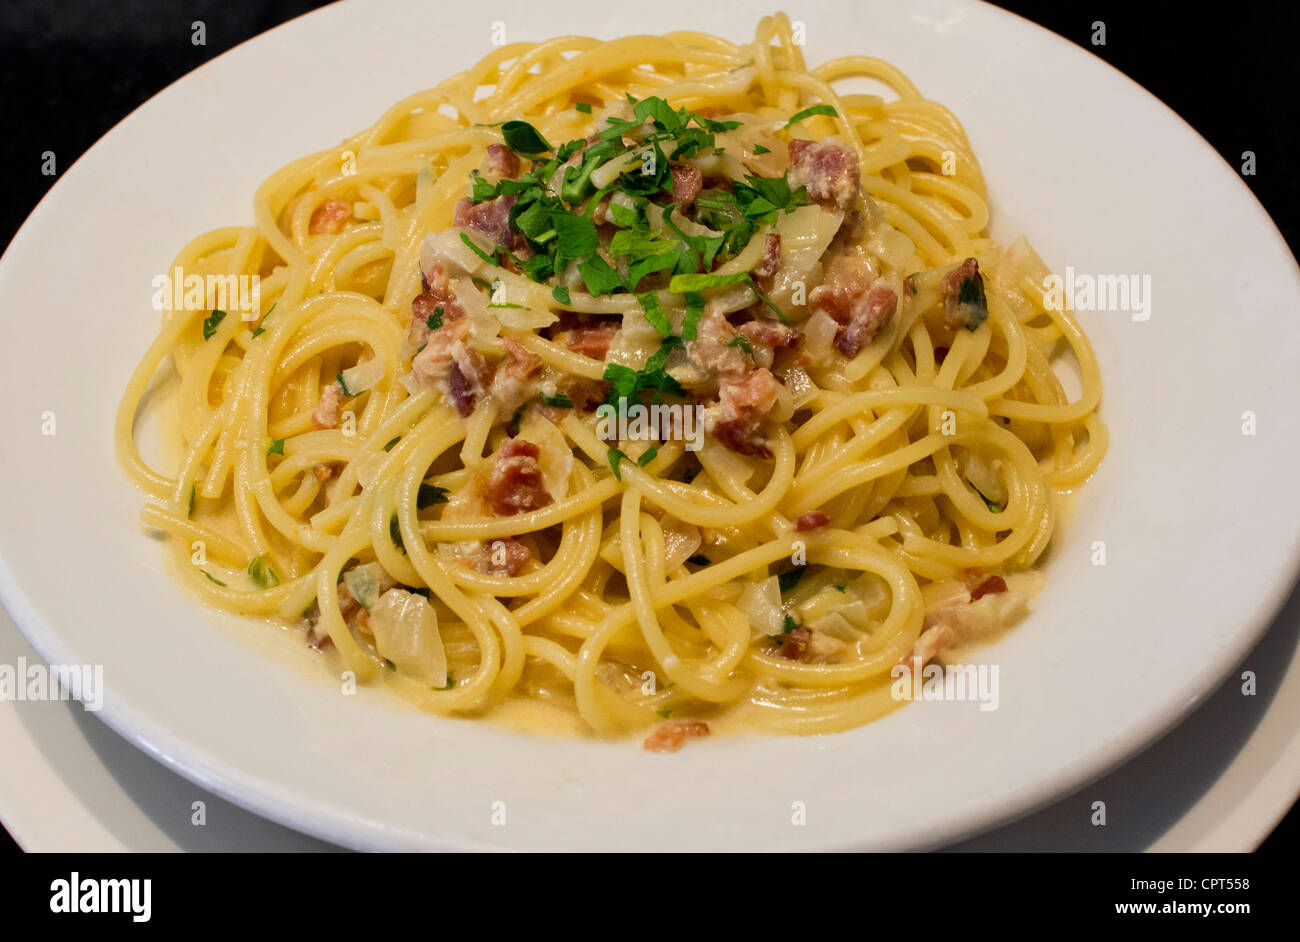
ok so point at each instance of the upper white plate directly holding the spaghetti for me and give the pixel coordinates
(1201, 522)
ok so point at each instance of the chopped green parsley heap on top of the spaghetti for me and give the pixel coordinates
(636, 162)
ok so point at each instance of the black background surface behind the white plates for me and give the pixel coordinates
(72, 71)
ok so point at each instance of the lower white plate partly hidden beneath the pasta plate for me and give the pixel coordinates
(80, 788)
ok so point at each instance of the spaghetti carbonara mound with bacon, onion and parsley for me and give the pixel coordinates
(662, 380)
